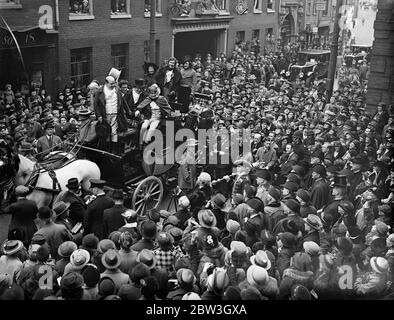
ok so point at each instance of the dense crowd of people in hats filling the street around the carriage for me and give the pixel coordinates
(306, 215)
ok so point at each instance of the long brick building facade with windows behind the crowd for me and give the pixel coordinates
(90, 36)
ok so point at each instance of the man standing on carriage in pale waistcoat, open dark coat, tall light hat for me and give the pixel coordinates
(108, 108)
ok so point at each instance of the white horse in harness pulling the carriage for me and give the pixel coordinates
(83, 170)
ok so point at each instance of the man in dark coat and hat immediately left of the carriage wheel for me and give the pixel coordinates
(112, 217)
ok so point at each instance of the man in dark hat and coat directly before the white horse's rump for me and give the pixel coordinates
(73, 195)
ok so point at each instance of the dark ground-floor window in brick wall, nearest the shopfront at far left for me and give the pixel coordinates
(81, 66)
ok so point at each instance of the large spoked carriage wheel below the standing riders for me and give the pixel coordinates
(148, 195)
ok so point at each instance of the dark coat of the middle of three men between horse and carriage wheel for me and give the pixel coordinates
(94, 215)
